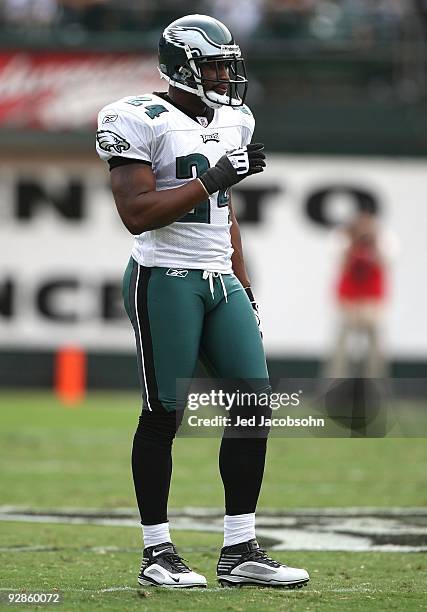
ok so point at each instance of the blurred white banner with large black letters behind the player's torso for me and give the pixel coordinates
(64, 250)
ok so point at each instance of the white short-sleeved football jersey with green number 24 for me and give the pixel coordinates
(179, 148)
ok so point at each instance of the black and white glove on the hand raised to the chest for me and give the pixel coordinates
(233, 167)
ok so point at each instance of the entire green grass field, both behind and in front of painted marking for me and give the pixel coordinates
(56, 457)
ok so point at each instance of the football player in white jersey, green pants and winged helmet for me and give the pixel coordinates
(173, 158)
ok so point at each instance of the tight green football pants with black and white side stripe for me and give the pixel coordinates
(180, 315)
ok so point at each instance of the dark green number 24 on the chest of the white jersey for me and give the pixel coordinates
(184, 169)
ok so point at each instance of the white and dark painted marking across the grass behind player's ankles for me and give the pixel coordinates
(330, 529)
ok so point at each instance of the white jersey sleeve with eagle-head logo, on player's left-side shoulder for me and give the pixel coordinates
(123, 134)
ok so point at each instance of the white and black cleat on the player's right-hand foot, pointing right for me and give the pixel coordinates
(247, 563)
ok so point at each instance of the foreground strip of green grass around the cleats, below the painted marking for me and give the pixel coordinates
(357, 581)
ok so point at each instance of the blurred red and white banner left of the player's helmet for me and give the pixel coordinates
(61, 91)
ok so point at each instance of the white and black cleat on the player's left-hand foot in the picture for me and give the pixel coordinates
(162, 566)
